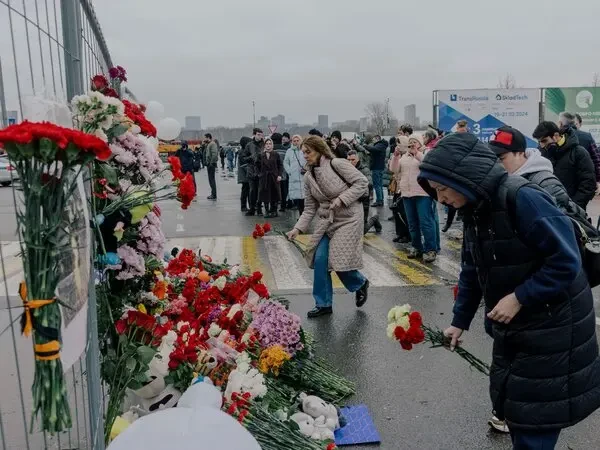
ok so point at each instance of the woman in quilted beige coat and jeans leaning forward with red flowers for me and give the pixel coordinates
(332, 189)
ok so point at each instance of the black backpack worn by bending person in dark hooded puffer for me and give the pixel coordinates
(588, 237)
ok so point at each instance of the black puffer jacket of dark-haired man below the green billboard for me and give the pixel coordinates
(574, 168)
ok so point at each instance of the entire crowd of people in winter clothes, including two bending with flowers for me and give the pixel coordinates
(524, 253)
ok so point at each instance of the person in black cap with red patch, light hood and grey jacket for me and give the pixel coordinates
(510, 145)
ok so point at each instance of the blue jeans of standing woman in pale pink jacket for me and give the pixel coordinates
(421, 223)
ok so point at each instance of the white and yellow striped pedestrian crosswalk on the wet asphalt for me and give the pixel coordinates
(285, 269)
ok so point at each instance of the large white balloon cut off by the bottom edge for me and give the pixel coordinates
(185, 429)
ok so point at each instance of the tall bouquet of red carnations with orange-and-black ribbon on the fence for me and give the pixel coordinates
(48, 160)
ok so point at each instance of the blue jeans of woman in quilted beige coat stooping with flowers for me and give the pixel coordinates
(353, 280)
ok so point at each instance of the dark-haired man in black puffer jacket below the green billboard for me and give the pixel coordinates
(572, 163)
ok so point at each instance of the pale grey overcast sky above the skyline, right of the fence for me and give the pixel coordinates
(305, 57)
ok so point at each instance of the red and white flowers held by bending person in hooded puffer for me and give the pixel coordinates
(407, 328)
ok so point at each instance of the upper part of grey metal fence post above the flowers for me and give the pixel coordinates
(71, 25)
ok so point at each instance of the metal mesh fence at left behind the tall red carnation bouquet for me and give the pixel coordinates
(49, 50)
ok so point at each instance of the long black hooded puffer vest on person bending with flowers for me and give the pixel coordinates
(545, 370)
